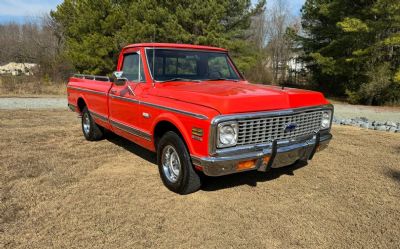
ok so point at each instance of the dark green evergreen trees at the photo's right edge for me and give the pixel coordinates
(353, 47)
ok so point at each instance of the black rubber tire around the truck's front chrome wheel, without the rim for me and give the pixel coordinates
(187, 181)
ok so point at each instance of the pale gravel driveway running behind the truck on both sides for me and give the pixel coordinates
(341, 110)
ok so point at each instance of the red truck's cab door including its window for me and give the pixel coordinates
(123, 101)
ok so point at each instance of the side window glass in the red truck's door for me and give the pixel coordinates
(130, 67)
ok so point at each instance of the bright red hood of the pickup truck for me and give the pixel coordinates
(228, 97)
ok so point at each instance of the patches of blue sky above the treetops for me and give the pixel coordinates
(20, 10)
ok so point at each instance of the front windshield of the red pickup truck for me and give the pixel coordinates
(190, 65)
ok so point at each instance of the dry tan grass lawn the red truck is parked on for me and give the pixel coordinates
(59, 191)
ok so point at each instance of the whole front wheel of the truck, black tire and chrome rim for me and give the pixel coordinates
(174, 164)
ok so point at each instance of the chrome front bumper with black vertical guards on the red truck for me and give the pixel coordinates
(280, 154)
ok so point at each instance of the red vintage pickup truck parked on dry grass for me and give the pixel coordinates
(192, 106)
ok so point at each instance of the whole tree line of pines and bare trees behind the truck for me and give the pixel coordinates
(344, 48)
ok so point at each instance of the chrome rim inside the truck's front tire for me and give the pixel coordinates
(171, 163)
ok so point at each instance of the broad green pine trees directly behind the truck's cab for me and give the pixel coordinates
(96, 30)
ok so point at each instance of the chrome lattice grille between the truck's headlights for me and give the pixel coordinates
(266, 130)
